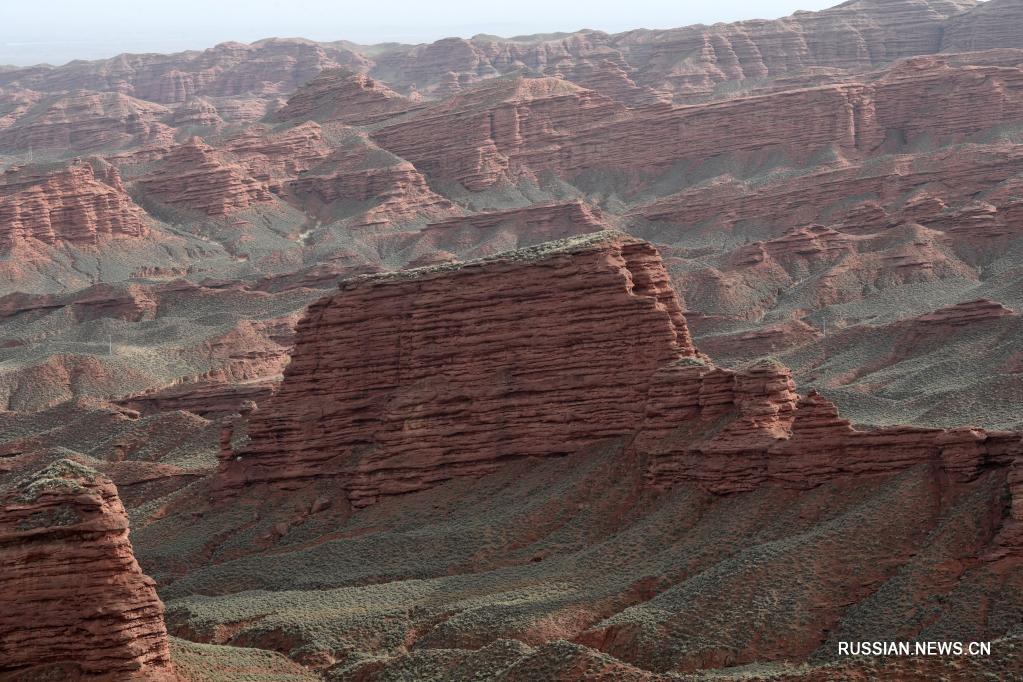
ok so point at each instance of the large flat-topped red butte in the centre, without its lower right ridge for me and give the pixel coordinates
(399, 382)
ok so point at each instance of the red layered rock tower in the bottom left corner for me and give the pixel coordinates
(74, 604)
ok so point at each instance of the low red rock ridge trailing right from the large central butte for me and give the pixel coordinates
(707, 426)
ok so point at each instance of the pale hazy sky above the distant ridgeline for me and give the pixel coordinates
(59, 31)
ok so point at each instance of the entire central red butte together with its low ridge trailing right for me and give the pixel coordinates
(451, 371)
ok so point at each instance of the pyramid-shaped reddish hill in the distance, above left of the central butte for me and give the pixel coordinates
(355, 100)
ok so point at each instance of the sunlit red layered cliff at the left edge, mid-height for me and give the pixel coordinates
(78, 205)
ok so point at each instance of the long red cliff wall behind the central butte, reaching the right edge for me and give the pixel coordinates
(519, 128)
